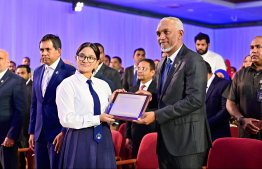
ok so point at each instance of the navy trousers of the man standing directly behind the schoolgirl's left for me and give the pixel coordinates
(45, 155)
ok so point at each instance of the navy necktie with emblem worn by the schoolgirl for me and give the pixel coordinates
(98, 130)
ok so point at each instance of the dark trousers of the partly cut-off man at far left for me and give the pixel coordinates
(8, 157)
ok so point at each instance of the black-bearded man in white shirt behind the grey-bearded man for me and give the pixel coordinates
(202, 43)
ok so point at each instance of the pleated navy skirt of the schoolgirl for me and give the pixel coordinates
(80, 150)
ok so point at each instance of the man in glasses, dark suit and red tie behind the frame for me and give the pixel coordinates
(135, 132)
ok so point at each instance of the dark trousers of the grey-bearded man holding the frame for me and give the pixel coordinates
(166, 160)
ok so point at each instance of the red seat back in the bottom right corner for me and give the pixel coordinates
(235, 153)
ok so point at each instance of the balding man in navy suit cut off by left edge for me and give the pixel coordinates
(13, 106)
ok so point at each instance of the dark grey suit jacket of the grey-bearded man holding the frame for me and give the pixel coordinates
(181, 116)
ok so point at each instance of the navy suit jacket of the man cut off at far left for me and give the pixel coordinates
(13, 105)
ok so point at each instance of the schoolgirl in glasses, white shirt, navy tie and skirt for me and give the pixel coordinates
(88, 141)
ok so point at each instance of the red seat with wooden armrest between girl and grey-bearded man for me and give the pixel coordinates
(146, 157)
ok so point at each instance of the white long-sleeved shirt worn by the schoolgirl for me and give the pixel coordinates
(75, 103)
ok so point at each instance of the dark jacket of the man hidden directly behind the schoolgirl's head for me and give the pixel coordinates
(111, 74)
